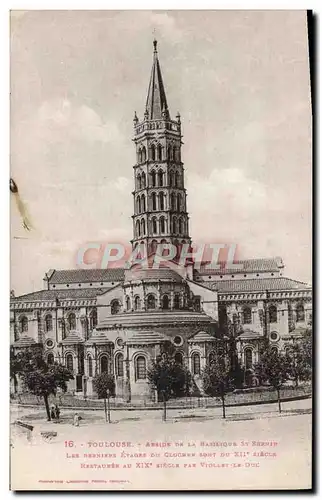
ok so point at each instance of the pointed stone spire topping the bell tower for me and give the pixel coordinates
(156, 103)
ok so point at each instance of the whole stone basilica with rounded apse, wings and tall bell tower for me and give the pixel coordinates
(119, 319)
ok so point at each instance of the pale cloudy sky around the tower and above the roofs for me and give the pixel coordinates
(240, 80)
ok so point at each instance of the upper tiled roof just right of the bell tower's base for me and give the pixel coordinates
(246, 266)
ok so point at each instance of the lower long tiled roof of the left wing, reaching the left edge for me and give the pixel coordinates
(82, 293)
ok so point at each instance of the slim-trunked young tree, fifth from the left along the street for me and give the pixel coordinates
(273, 368)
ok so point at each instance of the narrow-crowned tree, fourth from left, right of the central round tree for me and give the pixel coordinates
(217, 379)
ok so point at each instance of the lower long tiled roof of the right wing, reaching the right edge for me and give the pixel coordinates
(250, 285)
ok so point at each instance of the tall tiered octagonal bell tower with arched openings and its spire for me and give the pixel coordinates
(160, 198)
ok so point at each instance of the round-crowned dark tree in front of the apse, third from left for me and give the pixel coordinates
(169, 379)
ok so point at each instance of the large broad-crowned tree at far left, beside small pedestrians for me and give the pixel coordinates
(43, 379)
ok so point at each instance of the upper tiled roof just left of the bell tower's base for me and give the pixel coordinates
(86, 275)
